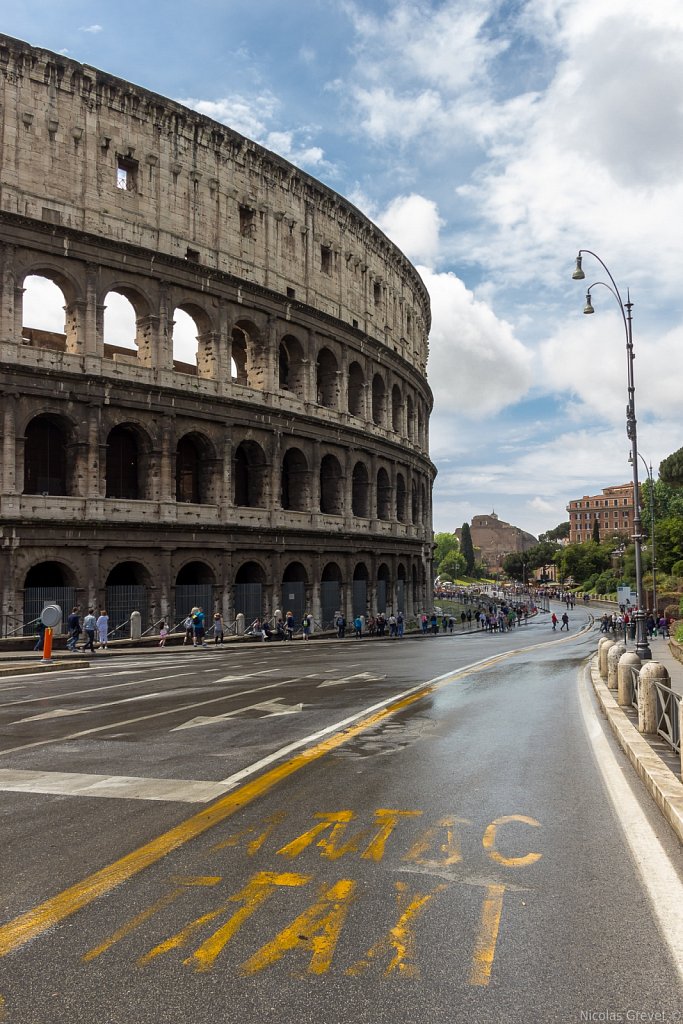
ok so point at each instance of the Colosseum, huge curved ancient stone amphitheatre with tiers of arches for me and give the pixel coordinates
(283, 462)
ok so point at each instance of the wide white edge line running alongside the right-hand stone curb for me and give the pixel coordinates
(658, 873)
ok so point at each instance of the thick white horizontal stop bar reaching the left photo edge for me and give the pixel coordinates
(112, 787)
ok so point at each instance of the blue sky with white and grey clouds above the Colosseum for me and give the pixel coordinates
(491, 140)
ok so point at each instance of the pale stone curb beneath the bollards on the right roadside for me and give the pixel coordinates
(663, 785)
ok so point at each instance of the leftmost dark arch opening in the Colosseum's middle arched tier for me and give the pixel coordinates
(48, 461)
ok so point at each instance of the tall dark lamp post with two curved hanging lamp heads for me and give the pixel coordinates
(643, 647)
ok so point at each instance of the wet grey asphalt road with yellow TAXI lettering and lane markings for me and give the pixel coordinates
(338, 831)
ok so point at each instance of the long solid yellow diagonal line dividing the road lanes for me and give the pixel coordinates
(40, 919)
